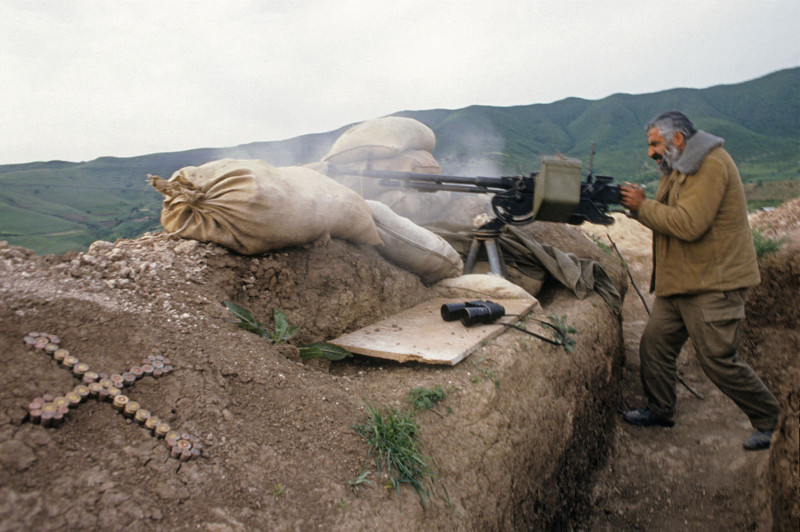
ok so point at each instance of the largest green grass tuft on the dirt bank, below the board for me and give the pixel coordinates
(393, 439)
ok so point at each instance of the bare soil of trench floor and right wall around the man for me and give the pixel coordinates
(695, 475)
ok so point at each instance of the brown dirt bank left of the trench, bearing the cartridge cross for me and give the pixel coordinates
(522, 423)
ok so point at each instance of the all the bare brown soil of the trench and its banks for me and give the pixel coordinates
(528, 437)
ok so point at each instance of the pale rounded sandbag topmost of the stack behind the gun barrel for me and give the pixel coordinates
(380, 139)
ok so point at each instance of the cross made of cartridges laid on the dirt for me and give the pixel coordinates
(51, 410)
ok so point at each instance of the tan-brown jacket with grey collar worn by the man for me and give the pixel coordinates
(701, 235)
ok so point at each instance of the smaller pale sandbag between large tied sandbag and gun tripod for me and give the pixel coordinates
(413, 247)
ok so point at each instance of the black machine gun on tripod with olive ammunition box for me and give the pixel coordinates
(554, 194)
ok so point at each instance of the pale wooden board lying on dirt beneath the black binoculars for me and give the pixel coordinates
(420, 334)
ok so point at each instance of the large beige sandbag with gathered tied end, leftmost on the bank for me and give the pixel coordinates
(252, 207)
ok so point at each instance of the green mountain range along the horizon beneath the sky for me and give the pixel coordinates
(58, 206)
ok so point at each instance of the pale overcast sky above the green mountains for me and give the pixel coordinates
(86, 78)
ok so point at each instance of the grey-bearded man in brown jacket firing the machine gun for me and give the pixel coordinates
(703, 263)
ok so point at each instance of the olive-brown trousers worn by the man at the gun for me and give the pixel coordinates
(713, 321)
